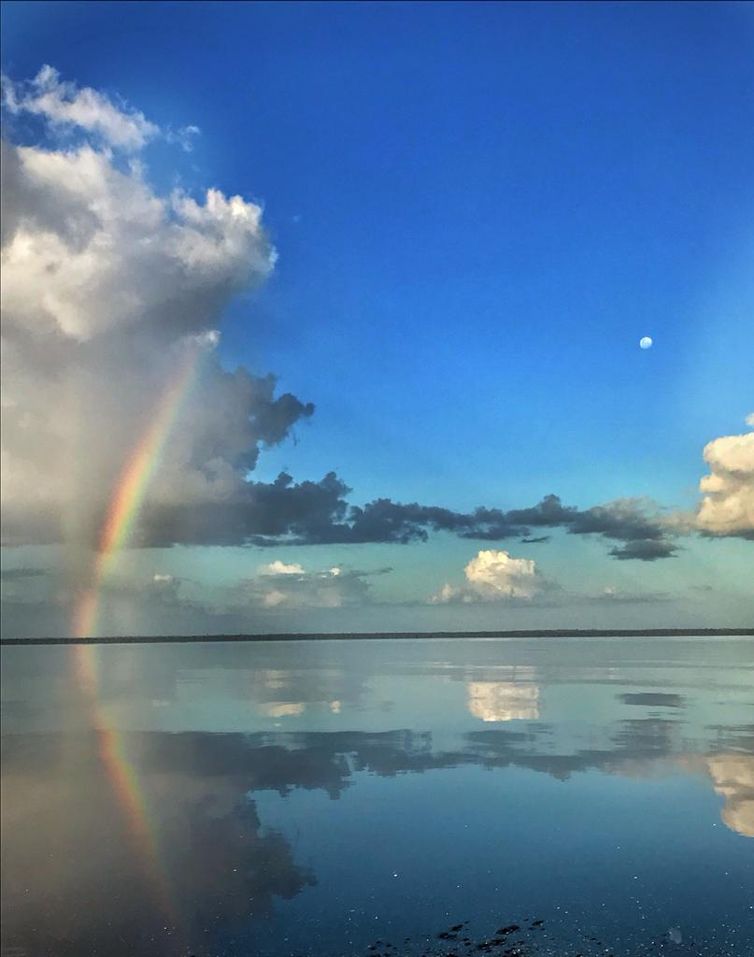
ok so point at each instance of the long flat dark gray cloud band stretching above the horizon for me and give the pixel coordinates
(285, 512)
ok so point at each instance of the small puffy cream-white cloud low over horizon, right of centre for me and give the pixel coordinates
(493, 575)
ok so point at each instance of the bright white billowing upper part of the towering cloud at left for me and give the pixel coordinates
(90, 249)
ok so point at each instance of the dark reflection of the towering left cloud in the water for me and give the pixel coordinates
(223, 865)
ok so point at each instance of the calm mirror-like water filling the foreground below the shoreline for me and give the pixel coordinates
(334, 798)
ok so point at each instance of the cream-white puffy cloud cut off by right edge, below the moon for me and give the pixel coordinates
(727, 506)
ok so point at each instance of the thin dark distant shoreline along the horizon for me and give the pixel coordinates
(395, 635)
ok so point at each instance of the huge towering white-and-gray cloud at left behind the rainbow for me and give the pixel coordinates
(106, 284)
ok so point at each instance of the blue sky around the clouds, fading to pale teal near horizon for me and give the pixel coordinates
(478, 209)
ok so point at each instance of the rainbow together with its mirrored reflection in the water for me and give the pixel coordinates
(124, 507)
